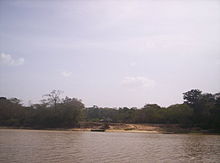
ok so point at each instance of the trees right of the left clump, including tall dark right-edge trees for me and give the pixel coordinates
(198, 110)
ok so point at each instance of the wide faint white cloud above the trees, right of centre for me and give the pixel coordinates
(138, 82)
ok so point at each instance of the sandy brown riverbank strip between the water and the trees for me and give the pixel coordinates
(134, 128)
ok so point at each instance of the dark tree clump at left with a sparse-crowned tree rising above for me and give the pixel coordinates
(67, 112)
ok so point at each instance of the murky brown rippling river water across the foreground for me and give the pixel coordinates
(72, 146)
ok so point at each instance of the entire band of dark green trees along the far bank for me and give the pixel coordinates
(198, 110)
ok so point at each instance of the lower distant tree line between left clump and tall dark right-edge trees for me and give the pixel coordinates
(150, 113)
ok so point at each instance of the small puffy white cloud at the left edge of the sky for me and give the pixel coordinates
(6, 59)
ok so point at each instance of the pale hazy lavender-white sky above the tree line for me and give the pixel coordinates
(109, 53)
